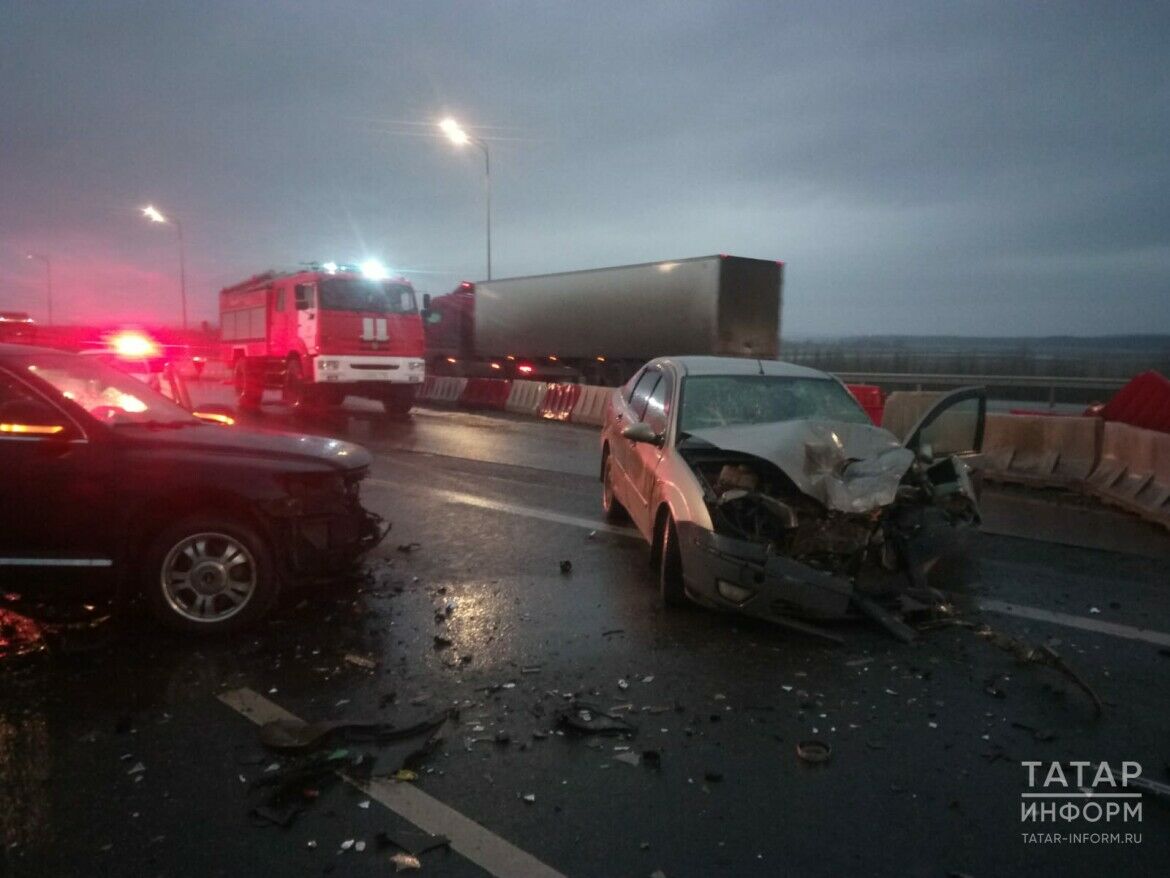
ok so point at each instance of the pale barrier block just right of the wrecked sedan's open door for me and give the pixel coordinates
(1042, 450)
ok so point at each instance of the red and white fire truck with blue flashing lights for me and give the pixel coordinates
(324, 334)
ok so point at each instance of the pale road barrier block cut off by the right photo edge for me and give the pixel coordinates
(1134, 471)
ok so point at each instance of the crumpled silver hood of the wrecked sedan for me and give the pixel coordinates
(849, 468)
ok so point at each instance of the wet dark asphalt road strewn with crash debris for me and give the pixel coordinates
(925, 778)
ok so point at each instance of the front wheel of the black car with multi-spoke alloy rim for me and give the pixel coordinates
(209, 574)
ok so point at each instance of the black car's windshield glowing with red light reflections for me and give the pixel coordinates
(107, 394)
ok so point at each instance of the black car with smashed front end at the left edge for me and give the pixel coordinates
(108, 489)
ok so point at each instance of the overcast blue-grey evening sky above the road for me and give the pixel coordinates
(959, 168)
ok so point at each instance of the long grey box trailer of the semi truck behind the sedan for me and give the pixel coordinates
(600, 326)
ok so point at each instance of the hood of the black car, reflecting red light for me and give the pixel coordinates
(243, 442)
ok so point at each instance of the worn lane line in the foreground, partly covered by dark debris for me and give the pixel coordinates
(474, 842)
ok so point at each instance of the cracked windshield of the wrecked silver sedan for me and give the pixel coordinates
(720, 401)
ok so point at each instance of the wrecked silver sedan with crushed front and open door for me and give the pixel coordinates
(765, 489)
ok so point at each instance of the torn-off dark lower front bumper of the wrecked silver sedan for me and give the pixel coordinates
(731, 574)
